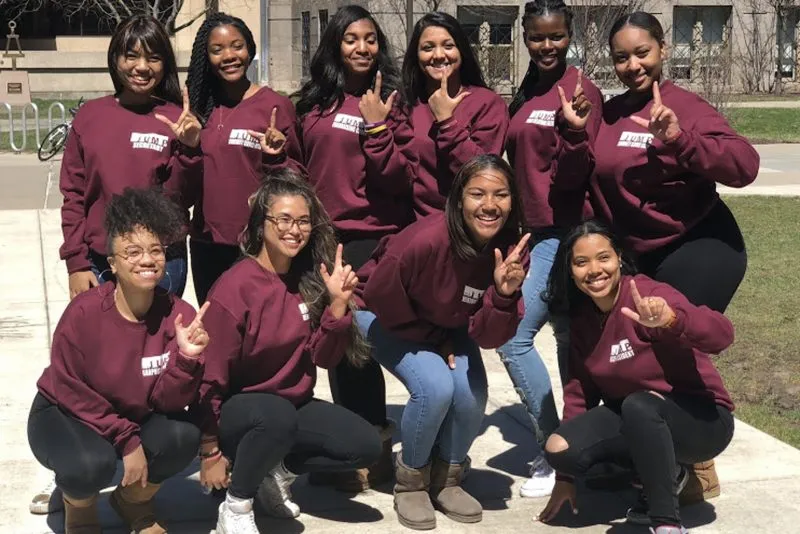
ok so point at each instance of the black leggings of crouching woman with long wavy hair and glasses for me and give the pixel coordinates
(258, 430)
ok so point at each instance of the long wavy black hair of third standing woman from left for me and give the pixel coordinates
(325, 87)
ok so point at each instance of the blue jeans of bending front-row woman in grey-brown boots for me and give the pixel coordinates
(446, 405)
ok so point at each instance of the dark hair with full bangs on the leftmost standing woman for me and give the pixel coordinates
(149, 33)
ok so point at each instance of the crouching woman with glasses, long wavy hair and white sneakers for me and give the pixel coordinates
(276, 315)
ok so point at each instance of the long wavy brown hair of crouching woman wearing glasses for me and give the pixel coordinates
(320, 249)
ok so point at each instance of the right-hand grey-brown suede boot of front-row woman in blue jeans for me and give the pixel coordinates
(448, 496)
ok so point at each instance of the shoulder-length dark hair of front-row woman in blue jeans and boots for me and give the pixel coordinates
(460, 240)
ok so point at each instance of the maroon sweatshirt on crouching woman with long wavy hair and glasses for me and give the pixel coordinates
(262, 340)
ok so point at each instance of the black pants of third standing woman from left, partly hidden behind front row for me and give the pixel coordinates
(360, 390)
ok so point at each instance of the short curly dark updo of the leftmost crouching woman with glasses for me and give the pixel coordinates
(149, 209)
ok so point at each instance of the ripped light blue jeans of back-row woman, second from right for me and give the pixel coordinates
(523, 363)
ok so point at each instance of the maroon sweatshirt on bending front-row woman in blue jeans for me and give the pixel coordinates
(419, 289)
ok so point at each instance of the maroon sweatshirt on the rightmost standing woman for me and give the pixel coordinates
(655, 192)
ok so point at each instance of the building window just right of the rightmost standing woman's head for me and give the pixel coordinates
(700, 38)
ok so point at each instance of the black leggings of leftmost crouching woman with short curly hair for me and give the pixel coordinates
(84, 462)
